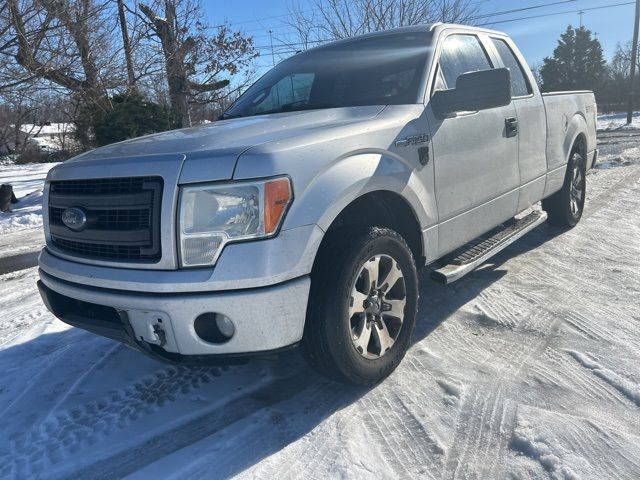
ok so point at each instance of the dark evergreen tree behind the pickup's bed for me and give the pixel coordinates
(577, 63)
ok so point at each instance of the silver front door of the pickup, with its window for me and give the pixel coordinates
(475, 158)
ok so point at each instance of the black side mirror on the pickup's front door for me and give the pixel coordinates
(474, 91)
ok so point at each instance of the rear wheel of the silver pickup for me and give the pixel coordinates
(566, 205)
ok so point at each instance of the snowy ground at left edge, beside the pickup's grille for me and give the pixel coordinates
(21, 229)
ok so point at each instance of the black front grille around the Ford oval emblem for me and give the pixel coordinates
(122, 218)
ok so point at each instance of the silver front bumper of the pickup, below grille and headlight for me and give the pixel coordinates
(265, 319)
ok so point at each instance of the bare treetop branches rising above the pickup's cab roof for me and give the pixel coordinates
(328, 20)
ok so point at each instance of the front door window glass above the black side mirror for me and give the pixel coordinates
(461, 54)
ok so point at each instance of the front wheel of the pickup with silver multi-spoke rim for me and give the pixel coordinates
(338, 326)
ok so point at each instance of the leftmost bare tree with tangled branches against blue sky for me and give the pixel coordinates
(65, 44)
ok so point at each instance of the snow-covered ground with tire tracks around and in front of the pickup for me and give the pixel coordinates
(526, 368)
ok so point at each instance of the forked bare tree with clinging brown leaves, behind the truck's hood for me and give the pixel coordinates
(193, 58)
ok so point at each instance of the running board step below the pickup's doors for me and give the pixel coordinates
(478, 253)
